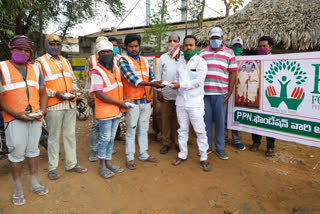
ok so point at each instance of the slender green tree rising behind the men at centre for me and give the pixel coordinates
(158, 27)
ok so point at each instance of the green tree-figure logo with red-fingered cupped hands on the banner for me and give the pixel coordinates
(283, 69)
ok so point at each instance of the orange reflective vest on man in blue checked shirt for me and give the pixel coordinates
(142, 72)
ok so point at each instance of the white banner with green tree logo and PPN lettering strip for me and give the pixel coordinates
(278, 96)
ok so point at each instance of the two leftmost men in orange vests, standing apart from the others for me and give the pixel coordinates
(30, 91)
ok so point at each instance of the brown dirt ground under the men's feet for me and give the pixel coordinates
(246, 183)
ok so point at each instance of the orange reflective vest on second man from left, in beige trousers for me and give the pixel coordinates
(56, 79)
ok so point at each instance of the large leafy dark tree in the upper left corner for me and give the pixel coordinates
(31, 17)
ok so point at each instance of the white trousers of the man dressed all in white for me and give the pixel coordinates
(194, 115)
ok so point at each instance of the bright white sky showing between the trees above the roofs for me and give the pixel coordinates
(137, 16)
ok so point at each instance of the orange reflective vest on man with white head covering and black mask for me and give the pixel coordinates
(112, 86)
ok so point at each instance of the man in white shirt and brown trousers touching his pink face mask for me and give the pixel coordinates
(166, 71)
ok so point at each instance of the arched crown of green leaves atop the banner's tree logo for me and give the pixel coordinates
(285, 65)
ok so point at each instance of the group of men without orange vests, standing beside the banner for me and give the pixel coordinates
(206, 83)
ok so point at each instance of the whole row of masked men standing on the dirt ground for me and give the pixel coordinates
(196, 91)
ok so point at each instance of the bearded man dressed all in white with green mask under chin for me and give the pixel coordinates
(190, 76)
